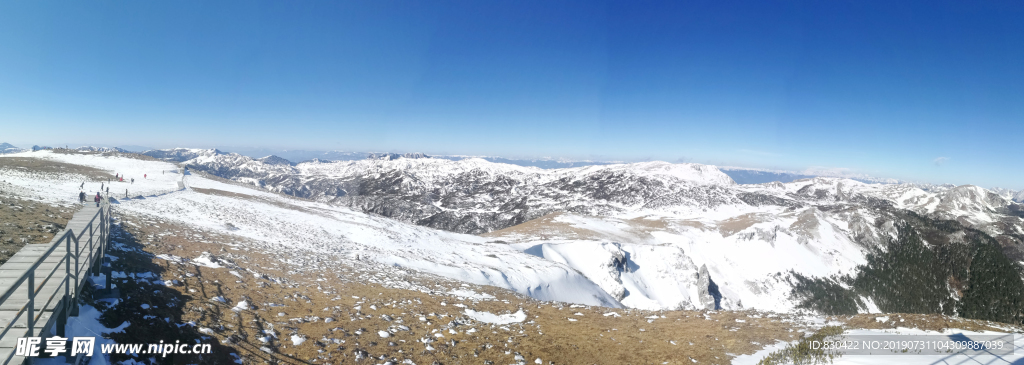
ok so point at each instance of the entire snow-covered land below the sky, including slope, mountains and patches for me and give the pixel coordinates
(650, 236)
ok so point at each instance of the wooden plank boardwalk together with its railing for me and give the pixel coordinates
(58, 272)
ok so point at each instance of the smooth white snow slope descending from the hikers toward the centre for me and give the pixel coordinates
(336, 232)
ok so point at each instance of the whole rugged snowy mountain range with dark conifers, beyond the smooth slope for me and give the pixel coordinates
(658, 235)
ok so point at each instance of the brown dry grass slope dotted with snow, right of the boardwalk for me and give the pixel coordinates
(547, 334)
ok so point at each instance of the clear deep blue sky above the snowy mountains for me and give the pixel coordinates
(922, 91)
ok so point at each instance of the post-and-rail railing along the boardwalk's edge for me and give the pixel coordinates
(69, 303)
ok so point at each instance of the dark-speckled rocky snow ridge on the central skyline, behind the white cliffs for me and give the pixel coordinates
(474, 195)
